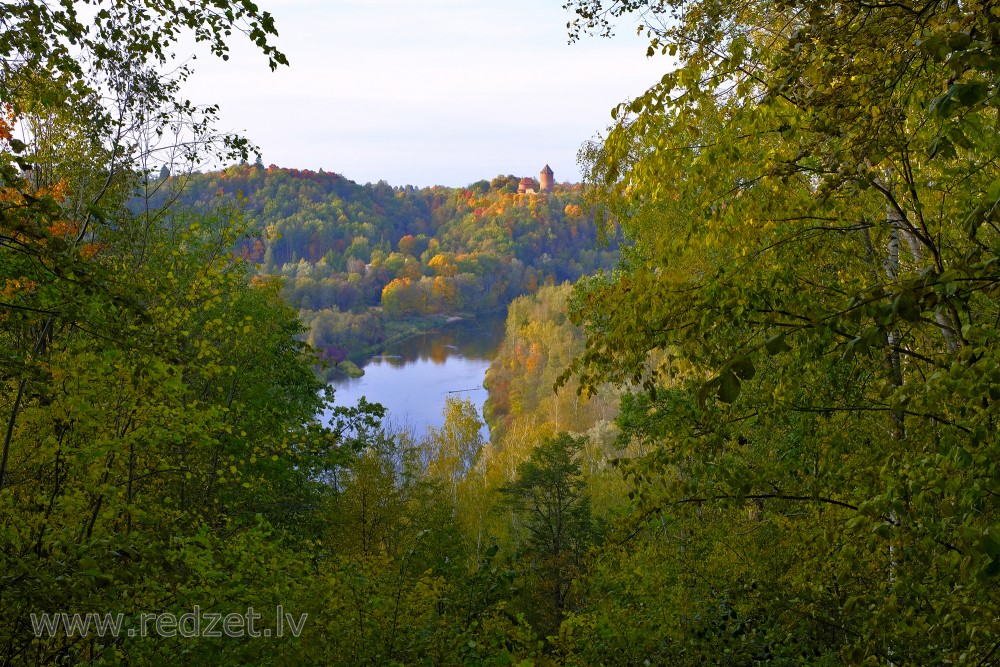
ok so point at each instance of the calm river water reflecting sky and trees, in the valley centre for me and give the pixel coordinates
(413, 378)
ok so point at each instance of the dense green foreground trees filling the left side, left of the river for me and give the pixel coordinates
(158, 413)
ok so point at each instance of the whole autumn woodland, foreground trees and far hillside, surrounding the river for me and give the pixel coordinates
(762, 433)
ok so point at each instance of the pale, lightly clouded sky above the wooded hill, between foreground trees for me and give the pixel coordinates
(425, 92)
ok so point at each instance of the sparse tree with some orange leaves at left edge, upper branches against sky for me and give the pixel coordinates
(53, 198)
